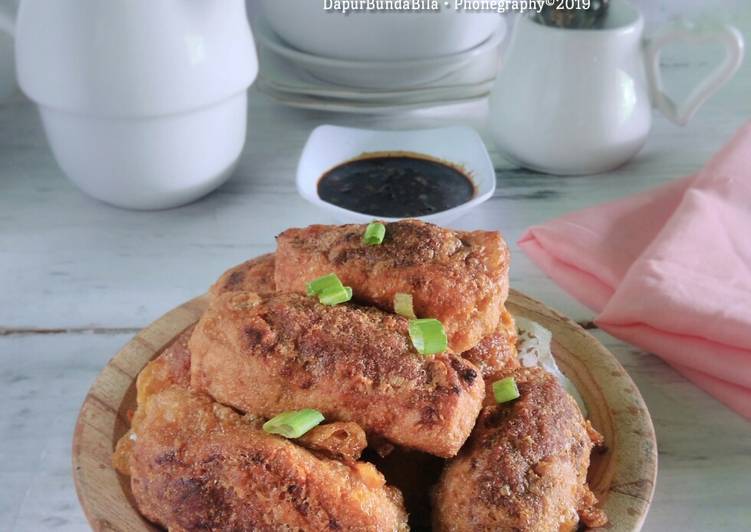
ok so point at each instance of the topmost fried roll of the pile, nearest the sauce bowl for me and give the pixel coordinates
(457, 277)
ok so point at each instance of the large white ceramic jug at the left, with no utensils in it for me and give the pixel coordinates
(143, 101)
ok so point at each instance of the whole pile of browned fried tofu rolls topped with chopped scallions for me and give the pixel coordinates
(202, 452)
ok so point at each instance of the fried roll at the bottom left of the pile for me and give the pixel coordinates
(198, 465)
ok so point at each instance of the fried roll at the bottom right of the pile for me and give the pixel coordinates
(524, 467)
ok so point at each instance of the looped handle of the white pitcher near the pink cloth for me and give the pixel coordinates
(682, 30)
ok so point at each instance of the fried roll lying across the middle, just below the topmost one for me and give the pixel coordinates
(269, 354)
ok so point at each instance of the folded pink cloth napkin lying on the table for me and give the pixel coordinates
(669, 270)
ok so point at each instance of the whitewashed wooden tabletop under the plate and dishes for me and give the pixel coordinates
(77, 278)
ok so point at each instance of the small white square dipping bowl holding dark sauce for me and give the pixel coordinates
(330, 146)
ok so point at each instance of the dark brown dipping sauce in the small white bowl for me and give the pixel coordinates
(395, 186)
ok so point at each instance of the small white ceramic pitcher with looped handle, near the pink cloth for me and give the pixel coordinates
(570, 101)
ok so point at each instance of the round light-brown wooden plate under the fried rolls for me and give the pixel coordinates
(622, 477)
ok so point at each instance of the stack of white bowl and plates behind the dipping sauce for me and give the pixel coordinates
(313, 59)
